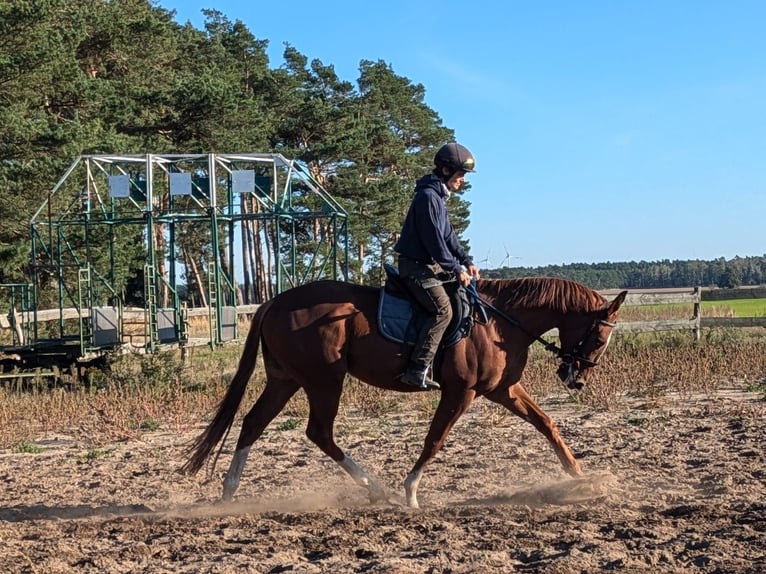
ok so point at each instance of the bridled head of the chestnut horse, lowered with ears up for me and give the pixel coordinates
(584, 342)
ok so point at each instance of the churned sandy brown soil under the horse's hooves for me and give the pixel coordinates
(673, 487)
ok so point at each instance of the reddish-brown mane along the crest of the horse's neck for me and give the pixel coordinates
(552, 293)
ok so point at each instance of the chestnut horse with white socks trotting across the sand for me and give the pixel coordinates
(313, 335)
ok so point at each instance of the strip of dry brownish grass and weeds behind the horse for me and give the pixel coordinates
(141, 393)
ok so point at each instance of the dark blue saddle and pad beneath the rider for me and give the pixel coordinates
(400, 317)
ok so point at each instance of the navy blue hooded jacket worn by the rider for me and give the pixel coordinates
(427, 234)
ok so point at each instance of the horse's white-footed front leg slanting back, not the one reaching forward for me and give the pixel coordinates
(451, 408)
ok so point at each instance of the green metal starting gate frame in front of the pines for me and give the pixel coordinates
(260, 219)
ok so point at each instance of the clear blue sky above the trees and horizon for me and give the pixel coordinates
(602, 130)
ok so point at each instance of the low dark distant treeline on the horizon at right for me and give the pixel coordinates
(721, 272)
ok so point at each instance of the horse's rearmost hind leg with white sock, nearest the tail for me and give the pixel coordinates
(271, 402)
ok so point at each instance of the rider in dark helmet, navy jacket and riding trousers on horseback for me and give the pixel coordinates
(430, 254)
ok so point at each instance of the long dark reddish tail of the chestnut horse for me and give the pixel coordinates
(219, 427)
